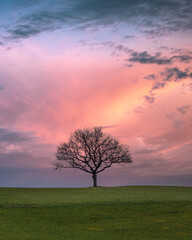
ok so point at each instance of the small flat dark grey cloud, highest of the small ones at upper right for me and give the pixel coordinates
(146, 58)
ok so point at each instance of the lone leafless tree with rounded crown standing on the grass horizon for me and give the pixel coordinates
(91, 151)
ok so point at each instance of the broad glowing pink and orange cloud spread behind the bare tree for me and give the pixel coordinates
(53, 96)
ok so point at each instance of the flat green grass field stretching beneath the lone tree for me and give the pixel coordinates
(127, 213)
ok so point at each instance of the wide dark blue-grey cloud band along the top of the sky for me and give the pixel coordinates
(152, 17)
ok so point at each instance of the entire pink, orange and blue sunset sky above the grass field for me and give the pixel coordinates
(124, 65)
